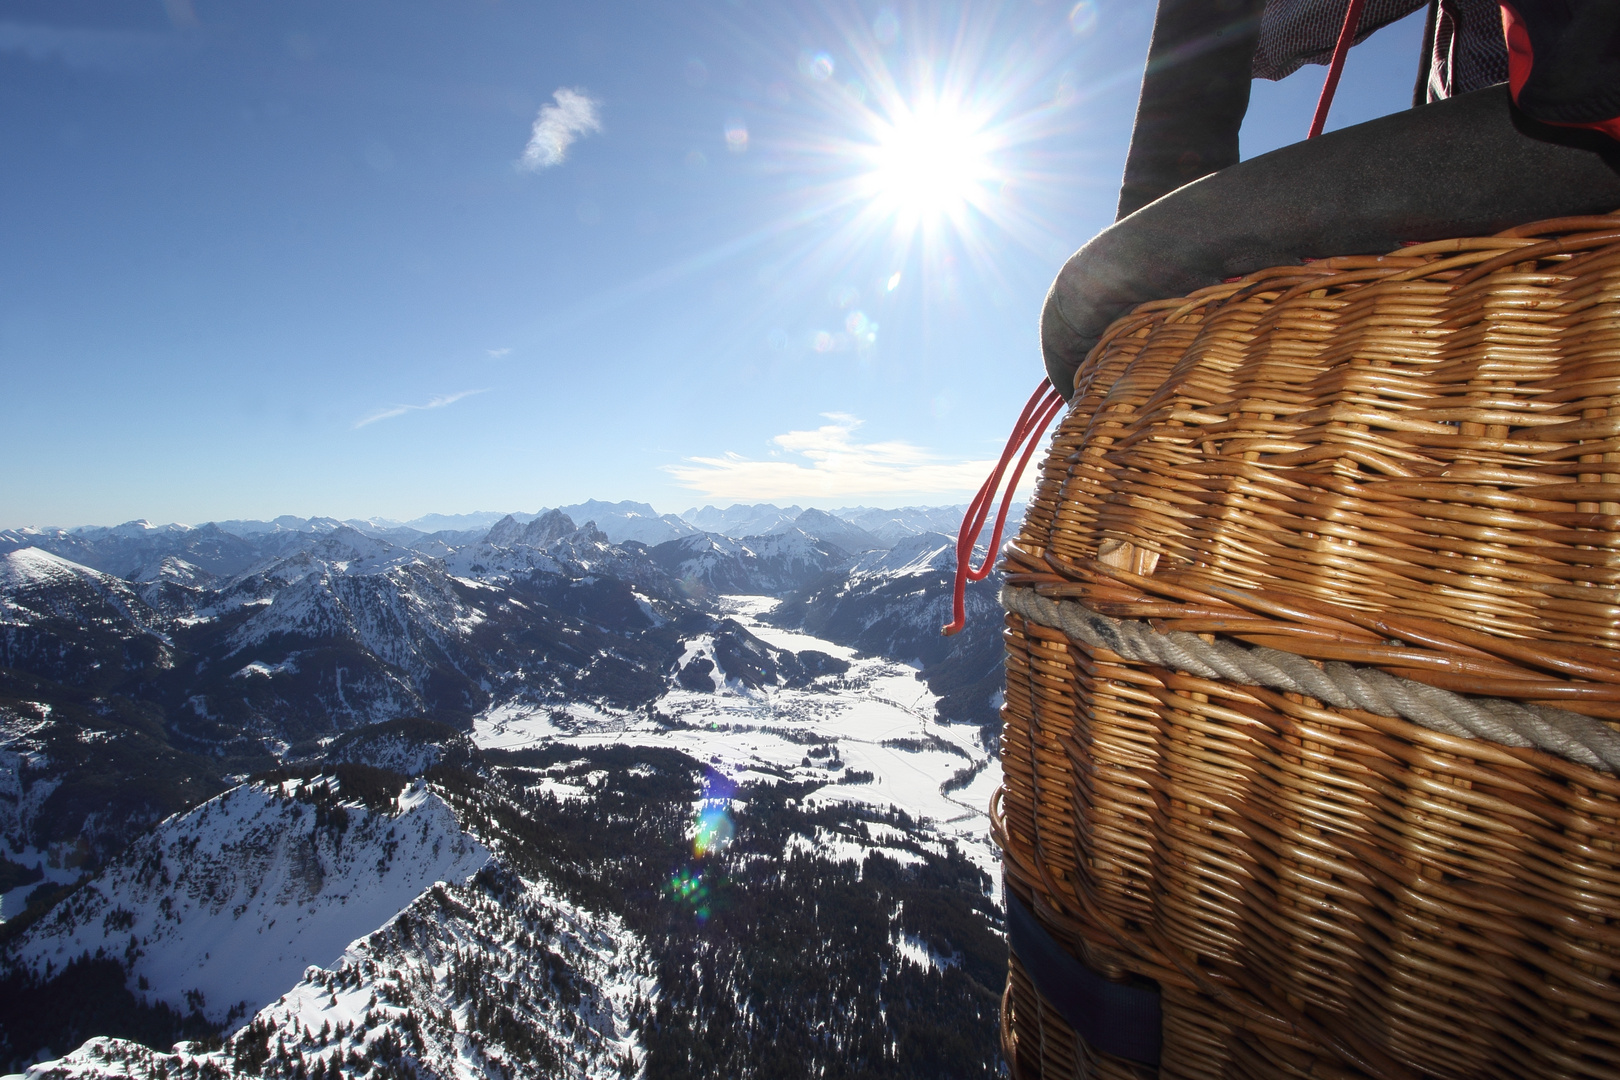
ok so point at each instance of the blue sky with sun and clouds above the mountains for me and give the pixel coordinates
(382, 260)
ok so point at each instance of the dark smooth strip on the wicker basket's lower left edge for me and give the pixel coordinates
(1122, 1021)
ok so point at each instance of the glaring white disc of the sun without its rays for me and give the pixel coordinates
(931, 163)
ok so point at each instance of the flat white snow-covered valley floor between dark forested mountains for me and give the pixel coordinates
(872, 733)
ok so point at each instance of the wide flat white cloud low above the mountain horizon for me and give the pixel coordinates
(830, 464)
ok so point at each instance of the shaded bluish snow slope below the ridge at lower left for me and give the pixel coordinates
(226, 906)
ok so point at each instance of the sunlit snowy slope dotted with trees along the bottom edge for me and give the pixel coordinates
(552, 990)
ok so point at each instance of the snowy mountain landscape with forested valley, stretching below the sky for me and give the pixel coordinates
(680, 734)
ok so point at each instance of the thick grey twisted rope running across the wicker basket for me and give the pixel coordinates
(1561, 733)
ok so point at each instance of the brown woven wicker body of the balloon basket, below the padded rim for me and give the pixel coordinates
(1313, 668)
